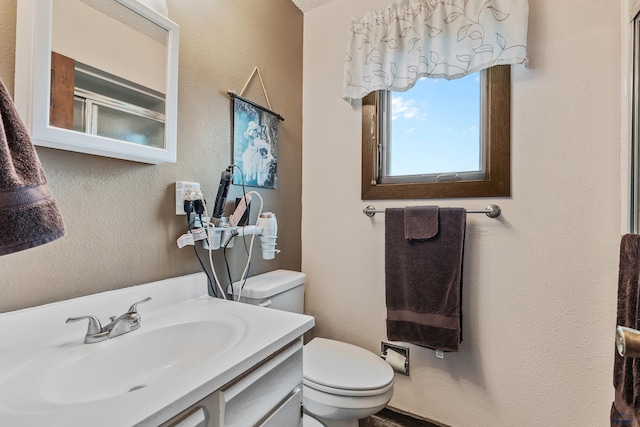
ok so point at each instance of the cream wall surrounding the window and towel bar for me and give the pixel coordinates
(539, 296)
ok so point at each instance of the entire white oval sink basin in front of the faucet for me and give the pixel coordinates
(80, 373)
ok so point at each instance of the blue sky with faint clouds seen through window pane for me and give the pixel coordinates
(435, 127)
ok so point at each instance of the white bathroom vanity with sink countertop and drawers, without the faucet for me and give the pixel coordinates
(194, 361)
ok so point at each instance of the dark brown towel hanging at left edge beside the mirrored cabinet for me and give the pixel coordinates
(29, 216)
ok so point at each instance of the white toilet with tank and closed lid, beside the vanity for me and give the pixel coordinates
(341, 382)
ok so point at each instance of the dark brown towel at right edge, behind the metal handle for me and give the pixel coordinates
(625, 410)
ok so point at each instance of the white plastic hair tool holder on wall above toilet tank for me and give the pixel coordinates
(266, 228)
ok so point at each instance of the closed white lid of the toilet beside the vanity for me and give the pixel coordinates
(339, 365)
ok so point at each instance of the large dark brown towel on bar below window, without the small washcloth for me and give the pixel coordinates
(424, 281)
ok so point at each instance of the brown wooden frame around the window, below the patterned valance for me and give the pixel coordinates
(498, 150)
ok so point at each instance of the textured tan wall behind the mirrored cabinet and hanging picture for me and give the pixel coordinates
(120, 215)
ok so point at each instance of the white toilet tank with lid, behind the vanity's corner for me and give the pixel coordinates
(280, 289)
